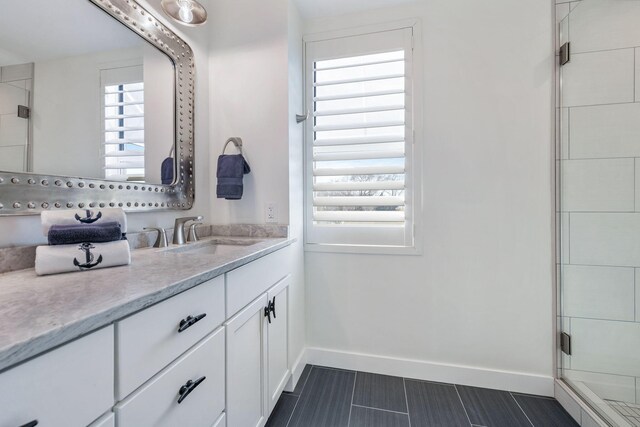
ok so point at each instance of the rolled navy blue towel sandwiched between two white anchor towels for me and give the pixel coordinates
(82, 233)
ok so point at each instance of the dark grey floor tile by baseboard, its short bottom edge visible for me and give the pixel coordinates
(380, 392)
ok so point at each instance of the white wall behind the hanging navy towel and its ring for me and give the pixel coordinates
(249, 83)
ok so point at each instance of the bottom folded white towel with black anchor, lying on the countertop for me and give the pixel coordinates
(81, 257)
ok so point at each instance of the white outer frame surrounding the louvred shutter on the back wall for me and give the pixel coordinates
(369, 240)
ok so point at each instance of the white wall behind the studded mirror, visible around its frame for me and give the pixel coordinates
(25, 230)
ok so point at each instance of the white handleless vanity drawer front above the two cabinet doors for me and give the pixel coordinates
(246, 283)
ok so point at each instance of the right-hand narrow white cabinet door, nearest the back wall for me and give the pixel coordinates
(278, 341)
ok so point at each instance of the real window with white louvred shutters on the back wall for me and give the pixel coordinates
(360, 157)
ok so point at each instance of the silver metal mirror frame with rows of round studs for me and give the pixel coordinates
(26, 193)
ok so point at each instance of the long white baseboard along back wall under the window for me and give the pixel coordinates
(429, 371)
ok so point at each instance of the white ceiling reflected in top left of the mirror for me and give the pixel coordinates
(37, 30)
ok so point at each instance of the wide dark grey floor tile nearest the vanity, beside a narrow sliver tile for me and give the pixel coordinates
(326, 399)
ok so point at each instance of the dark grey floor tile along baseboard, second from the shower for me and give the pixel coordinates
(492, 408)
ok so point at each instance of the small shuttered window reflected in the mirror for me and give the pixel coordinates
(123, 118)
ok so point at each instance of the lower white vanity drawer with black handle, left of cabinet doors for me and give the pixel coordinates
(156, 403)
